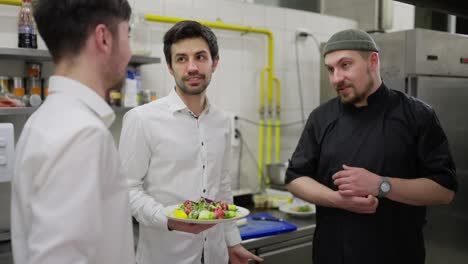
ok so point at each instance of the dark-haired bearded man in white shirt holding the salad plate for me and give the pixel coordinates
(176, 149)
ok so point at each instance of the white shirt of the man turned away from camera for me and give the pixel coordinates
(69, 198)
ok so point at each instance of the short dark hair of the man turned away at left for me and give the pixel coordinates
(64, 25)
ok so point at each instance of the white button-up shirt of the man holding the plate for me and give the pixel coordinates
(171, 156)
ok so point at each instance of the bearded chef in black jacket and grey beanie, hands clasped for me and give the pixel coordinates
(371, 159)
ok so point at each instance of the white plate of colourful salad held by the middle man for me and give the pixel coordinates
(203, 212)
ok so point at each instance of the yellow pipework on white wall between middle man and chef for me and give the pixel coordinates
(269, 68)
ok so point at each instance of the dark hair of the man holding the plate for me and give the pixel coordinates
(189, 29)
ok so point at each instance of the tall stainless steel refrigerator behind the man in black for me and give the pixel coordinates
(433, 66)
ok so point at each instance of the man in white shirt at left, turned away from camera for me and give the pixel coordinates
(69, 198)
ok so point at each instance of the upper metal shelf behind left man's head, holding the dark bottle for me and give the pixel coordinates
(44, 56)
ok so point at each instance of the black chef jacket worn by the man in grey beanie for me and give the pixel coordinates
(394, 135)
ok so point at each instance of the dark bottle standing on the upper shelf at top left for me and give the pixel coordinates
(27, 37)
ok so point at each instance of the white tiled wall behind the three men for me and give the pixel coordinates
(235, 85)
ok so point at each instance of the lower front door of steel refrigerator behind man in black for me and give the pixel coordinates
(447, 227)
